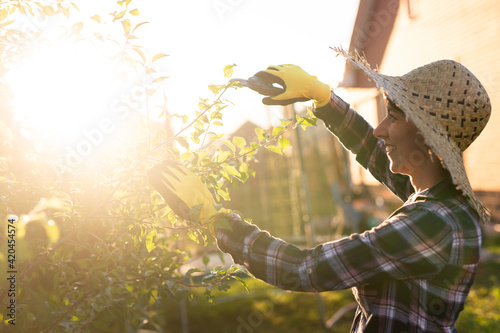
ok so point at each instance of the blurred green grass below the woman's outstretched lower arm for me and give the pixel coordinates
(265, 309)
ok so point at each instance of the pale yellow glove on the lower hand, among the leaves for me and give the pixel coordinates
(183, 190)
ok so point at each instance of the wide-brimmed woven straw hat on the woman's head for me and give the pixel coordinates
(448, 105)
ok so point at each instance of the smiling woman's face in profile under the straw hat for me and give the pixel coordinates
(404, 144)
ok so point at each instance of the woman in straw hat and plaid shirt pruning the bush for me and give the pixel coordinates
(413, 272)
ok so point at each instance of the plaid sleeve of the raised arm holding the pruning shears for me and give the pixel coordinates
(356, 134)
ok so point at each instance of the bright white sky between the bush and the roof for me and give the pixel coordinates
(202, 36)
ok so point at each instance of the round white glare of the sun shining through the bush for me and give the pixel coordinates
(58, 90)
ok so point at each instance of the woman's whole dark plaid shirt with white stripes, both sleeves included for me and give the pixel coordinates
(412, 273)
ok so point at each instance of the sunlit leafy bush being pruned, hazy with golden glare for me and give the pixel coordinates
(97, 249)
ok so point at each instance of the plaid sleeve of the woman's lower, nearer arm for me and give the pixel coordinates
(415, 243)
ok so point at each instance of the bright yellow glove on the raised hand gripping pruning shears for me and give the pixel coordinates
(297, 86)
